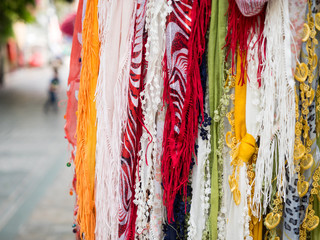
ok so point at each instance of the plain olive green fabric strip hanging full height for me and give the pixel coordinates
(218, 26)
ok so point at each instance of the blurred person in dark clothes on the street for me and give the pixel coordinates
(52, 101)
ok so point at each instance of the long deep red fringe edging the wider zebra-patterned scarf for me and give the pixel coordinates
(178, 149)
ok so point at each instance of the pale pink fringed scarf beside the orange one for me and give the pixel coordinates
(116, 21)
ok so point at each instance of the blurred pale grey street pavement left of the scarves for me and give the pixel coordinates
(34, 195)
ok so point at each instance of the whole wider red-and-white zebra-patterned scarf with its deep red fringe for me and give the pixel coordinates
(186, 29)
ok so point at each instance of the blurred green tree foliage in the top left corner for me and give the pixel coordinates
(12, 11)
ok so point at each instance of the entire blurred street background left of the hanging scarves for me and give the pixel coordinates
(35, 43)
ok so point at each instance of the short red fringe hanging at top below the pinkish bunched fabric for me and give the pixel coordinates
(240, 31)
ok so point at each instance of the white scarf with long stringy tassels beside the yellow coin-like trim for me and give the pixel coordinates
(278, 121)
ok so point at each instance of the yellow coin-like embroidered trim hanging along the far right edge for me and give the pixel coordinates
(303, 158)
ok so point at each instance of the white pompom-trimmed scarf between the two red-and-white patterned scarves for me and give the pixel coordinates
(147, 197)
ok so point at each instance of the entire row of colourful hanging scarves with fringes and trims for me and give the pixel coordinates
(195, 119)
